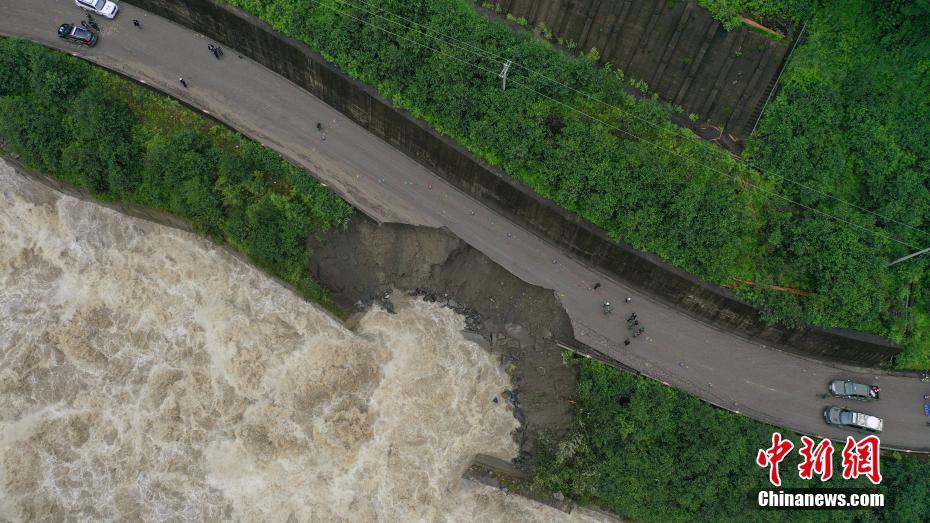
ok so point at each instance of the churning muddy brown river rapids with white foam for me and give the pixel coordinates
(147, 375)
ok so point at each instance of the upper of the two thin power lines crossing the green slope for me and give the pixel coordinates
(488, 54)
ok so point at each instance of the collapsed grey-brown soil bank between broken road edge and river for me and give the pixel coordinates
(365, 263)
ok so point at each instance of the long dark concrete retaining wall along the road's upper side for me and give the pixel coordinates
(359, 102)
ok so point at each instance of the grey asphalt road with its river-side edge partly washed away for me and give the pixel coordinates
(721, 368)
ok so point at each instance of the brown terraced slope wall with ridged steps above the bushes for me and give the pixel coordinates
(675, 46)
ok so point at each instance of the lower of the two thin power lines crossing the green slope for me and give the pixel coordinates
(610, 126)
